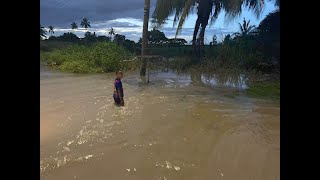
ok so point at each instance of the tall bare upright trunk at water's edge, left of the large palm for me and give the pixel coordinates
(144, 37)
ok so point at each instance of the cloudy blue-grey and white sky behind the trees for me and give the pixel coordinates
(125, 16)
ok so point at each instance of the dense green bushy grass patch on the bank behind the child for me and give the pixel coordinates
(99, 57)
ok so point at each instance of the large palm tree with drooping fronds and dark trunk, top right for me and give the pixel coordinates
(206, 9)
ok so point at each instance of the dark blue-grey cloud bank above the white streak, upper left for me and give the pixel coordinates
(61, 13)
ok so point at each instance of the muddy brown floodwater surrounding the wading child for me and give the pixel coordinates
(173, 129)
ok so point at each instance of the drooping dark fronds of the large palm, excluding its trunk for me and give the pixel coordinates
(182, 8)
